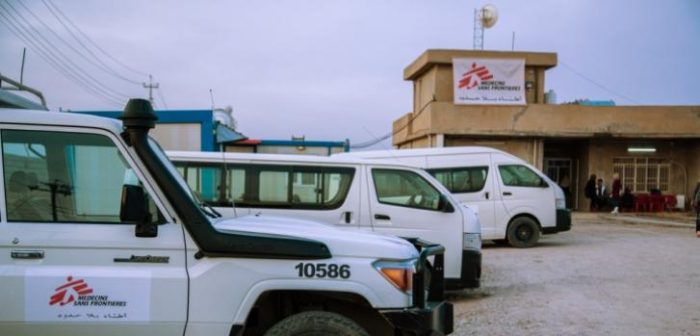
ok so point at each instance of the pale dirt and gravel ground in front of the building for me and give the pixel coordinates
(604, 277)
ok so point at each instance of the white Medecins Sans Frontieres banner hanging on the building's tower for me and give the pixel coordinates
(481, 81)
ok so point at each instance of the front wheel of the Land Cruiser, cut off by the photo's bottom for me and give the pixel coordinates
(316, 323)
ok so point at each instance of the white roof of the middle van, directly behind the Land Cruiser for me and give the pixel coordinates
(301, 159)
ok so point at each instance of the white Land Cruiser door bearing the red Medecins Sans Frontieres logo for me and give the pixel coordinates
(70, 265)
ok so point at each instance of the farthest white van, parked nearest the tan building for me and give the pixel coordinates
(516, 202)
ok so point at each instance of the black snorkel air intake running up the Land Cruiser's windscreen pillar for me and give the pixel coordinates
(138, 118)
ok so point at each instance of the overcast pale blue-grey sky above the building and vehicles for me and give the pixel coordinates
(333, 69)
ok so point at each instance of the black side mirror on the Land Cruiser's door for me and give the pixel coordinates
(134, 210)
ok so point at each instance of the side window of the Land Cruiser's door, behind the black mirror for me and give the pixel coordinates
(63, 177)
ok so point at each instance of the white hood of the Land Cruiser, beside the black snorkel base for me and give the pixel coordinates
(341, 242)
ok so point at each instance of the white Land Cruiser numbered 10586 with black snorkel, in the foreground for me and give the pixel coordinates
(99, 235)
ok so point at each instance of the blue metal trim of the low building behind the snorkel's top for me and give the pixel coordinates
(202, 117)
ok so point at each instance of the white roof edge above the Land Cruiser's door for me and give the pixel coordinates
(38, 117)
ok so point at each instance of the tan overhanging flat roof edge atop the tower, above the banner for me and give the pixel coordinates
(432, 57)
